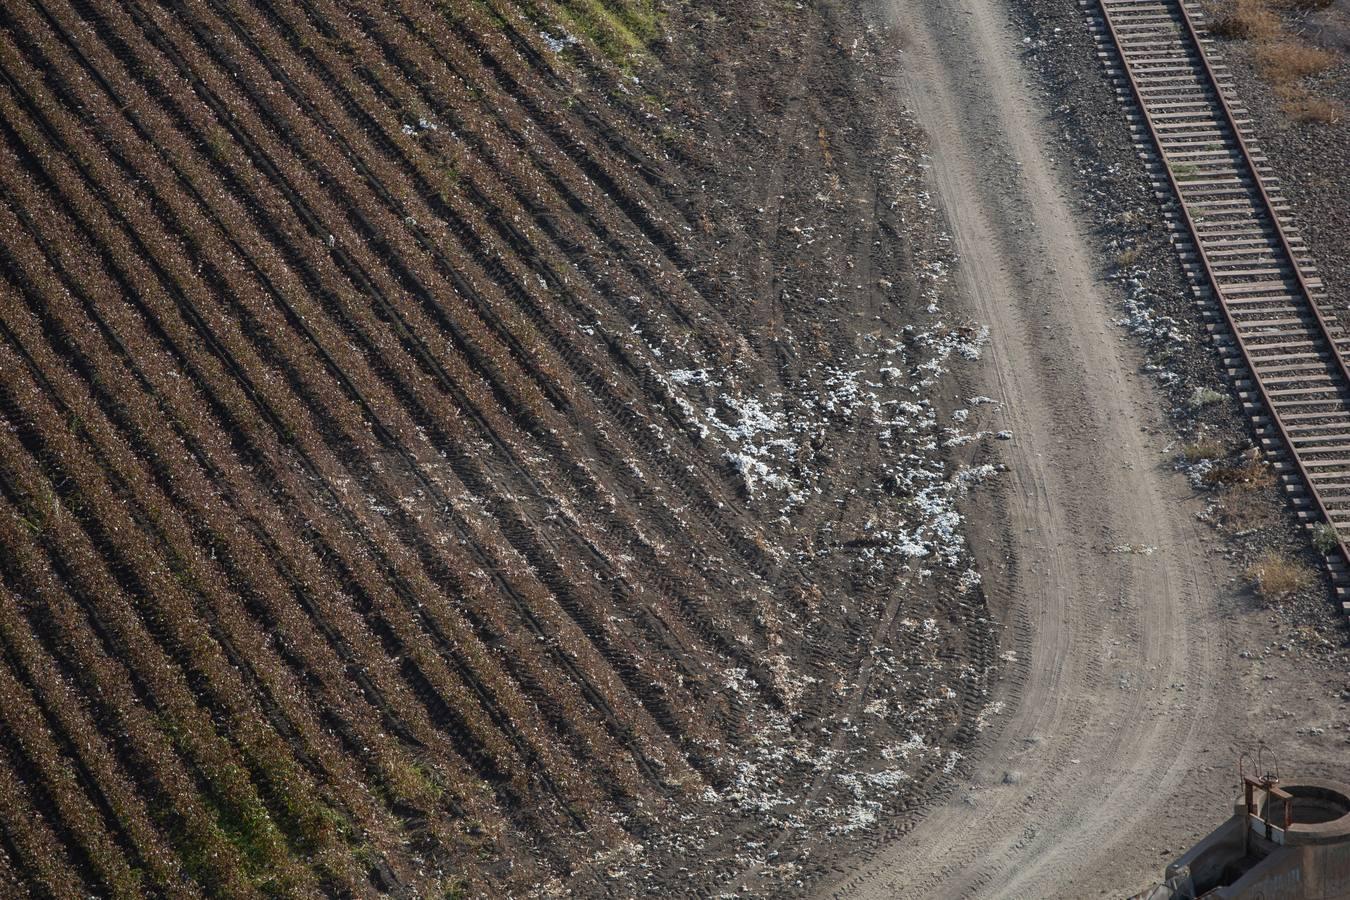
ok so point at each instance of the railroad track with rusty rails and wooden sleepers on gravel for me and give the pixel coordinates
(1248, 266)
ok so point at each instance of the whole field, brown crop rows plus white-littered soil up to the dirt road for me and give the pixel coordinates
(469, 449)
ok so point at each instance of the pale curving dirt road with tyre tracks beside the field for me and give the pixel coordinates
(1110, 596)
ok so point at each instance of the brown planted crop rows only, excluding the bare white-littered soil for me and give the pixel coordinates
(333, 342)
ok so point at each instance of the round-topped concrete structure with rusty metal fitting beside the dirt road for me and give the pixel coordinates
(1286, 841)
